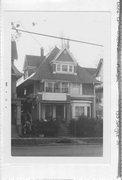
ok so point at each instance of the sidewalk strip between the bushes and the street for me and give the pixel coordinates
(40, 141)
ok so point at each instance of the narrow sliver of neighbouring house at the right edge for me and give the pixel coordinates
(99, 90)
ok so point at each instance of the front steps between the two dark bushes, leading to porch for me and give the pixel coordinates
(63, 131)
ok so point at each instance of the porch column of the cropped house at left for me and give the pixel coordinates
(18, 121)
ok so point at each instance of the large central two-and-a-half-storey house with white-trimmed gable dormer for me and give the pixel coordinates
(58, 87)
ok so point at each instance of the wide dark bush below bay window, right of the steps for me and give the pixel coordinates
(86, 127)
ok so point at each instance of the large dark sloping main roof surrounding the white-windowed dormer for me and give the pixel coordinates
(44, 71)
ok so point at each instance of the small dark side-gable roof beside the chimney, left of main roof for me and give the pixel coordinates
(33, 61)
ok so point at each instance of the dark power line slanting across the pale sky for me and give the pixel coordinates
(56, 37)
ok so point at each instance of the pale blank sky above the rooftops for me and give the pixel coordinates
(93, 27)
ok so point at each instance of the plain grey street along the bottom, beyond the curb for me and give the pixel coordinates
(58, 150)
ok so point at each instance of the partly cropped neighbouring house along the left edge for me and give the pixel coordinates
(15, 101)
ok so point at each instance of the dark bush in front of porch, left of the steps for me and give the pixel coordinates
(49, 128)
